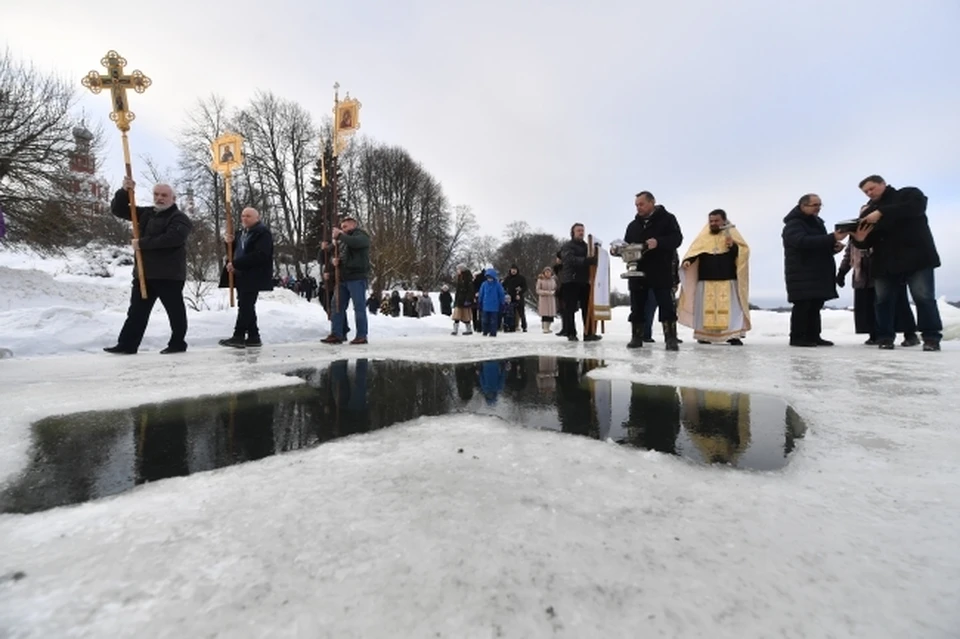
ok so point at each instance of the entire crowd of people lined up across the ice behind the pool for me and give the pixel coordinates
(890, 251)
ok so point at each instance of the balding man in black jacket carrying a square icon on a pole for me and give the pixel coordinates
(252, 267)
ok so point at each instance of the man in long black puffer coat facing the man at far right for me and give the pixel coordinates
(809, 269)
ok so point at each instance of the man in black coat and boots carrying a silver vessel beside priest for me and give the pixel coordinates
(659, 230)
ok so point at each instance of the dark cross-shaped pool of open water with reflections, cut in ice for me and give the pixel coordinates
(86, 456)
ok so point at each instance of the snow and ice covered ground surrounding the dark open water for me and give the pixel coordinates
(529, 534)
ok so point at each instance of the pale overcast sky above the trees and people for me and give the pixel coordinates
(559, 111)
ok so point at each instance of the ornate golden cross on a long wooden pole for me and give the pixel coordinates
(118, 82)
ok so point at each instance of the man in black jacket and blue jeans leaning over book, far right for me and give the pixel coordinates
(894, 224)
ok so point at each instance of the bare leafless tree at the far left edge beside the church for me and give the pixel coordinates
(35, 143)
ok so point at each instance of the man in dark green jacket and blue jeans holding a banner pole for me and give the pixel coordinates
(353, 265)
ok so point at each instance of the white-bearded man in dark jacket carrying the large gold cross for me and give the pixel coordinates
(164, 229)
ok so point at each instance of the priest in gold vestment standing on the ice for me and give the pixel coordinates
(714, 300)
